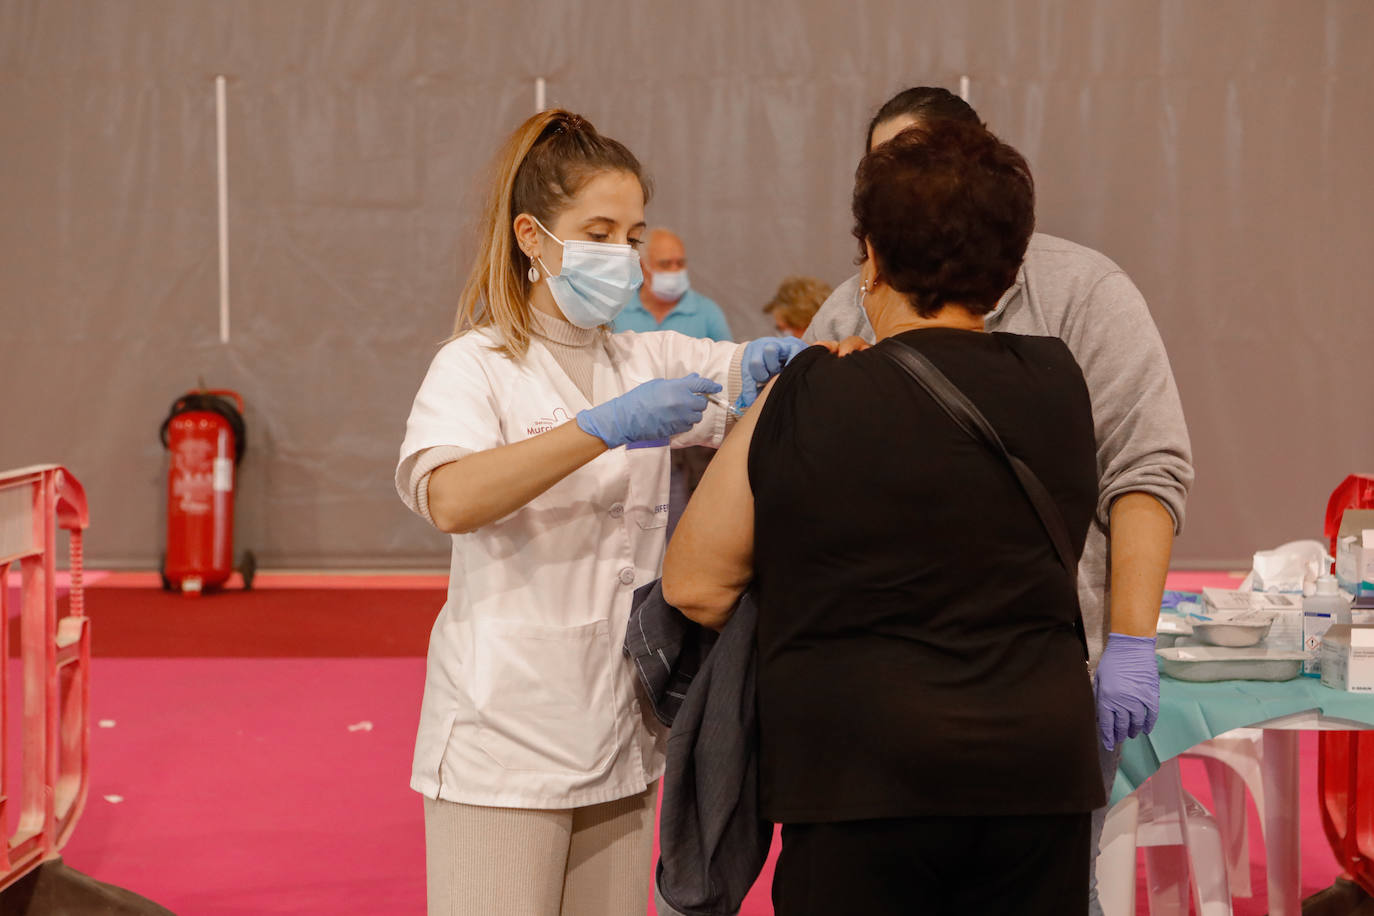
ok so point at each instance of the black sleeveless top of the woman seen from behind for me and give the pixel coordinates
(917, 654)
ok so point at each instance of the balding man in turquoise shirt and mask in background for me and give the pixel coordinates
(667, 301)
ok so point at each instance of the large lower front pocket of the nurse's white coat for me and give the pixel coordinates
(545, 696)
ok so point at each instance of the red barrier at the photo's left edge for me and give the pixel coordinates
(56, 660)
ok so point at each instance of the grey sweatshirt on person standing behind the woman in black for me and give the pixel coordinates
(1077, 295)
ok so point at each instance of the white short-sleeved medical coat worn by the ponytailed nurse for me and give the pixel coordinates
(528, 698)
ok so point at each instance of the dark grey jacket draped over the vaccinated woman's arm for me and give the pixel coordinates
(712, 843)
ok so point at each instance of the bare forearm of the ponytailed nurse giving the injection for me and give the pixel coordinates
(484, 487)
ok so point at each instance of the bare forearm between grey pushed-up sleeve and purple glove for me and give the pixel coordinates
(1142, 539)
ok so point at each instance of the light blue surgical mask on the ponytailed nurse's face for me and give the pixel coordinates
(597, 282)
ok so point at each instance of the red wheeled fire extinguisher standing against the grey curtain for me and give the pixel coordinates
(204, 435)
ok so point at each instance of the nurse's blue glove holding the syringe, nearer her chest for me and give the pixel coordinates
(652, 411)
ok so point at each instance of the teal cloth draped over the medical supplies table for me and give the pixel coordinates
(1192, 713)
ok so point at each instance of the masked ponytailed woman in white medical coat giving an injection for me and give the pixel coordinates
(539, 442)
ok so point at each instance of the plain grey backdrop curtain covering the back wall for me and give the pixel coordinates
(1218, 152)
